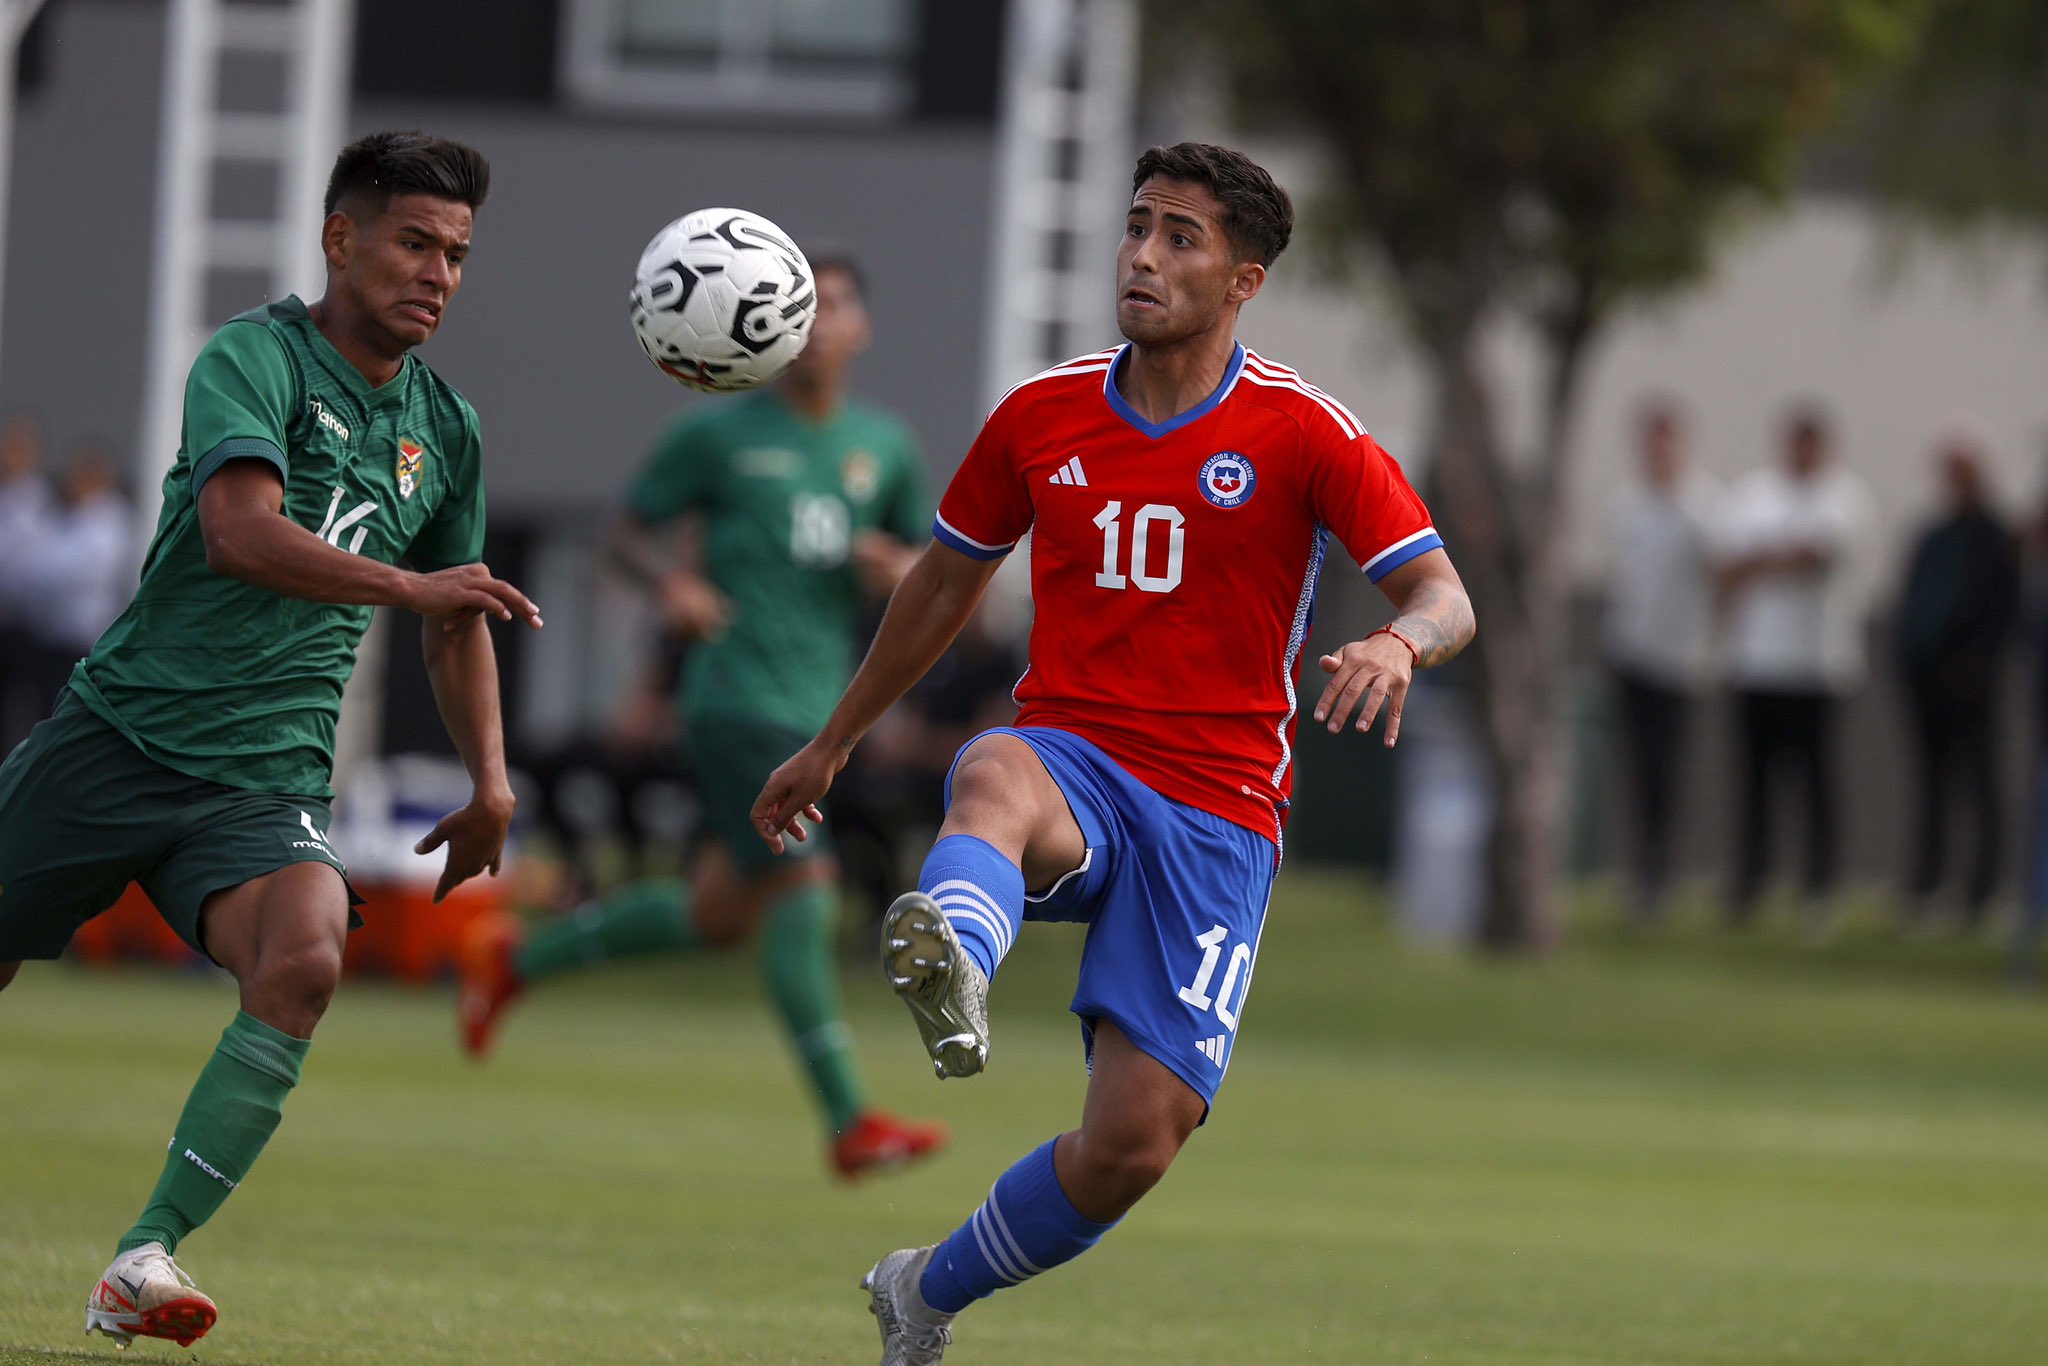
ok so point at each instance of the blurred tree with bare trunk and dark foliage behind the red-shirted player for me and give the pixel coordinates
(1551, 161)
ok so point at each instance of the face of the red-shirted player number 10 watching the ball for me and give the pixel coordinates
(1177, 269)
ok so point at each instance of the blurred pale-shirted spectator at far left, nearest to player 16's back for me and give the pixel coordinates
(85, 568)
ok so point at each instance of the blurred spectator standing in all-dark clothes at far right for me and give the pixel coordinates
(1955, 620)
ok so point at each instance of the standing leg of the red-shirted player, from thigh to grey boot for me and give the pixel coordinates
(1048, 1209)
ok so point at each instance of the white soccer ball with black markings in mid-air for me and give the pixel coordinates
(724, 300)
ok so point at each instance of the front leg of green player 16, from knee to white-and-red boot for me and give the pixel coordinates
(282, 937)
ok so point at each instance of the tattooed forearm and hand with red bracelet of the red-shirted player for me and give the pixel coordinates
(1433, 624)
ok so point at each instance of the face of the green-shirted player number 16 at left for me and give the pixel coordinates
(402, 267)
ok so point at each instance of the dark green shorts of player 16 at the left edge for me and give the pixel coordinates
(83, 814)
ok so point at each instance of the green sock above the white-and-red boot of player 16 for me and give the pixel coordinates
(230, 1115)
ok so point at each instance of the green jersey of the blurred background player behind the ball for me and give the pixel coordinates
(781, 499)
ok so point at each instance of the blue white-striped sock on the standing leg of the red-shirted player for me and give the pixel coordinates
(1027, 1226)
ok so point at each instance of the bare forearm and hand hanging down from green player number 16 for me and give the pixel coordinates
(464, 673)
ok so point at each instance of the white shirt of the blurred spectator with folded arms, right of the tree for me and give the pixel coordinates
(1799, 632)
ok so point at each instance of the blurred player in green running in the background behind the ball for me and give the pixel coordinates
(808, 505)
